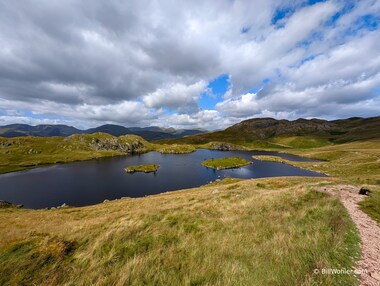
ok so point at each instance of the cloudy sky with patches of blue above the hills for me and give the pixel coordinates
(187, 64)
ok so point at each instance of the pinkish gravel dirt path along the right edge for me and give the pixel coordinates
(369, 232)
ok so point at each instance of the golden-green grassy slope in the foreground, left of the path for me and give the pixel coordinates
(254, 232)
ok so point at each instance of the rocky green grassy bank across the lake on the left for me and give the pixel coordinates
(28, 152)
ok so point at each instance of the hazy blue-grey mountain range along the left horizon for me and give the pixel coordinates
(148, 133)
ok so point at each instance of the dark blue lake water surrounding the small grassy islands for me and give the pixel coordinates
(91, 182)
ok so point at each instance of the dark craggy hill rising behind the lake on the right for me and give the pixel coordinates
(302, 133)
